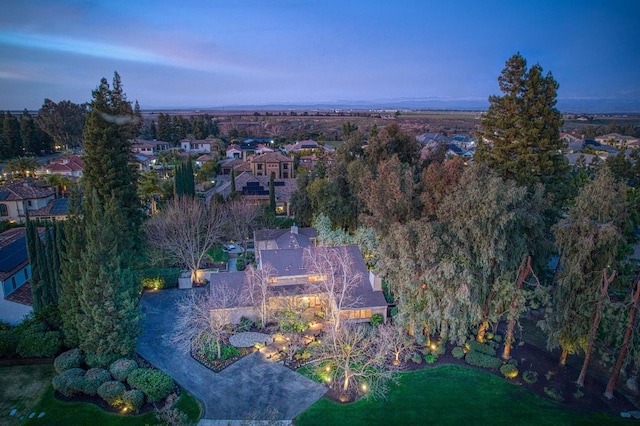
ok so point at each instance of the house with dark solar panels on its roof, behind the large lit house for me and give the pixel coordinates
(256, 189)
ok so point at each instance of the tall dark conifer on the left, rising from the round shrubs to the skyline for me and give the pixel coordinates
(103, 244)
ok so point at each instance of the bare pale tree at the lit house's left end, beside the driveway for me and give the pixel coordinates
(202, 318)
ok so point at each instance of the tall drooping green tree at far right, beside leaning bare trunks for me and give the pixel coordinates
(589, 239)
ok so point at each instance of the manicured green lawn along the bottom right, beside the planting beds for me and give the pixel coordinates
(453, 395)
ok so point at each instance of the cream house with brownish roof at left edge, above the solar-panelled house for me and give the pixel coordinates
(22, 195)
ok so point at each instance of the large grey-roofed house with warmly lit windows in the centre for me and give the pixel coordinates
(286, 257)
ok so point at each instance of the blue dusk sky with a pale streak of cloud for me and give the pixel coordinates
(252, 52)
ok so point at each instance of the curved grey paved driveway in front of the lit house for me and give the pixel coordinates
(250, 388)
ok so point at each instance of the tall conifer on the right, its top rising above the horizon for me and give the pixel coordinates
(520, 137)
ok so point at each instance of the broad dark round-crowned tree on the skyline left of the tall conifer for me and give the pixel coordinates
(63, 121)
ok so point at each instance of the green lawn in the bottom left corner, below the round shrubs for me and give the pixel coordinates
(28, 389)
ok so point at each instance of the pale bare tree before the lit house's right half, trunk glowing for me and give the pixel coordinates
(333, 275)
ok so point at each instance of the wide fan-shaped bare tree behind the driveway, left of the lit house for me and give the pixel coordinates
(186, 229)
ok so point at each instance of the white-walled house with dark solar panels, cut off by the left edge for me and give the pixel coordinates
(15, 275)
